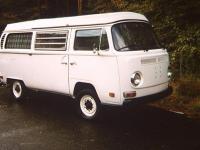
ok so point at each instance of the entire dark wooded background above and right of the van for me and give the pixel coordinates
(177, 22)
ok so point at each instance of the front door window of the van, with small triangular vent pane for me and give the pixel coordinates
(91, 39)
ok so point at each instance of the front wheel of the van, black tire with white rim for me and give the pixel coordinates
(88, 104)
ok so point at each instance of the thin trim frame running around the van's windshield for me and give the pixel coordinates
(135, 21)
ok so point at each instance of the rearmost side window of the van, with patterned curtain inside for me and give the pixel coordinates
(18, 41)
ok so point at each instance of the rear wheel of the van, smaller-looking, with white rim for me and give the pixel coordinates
(18, 90)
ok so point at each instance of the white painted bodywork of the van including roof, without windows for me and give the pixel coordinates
(108, 71)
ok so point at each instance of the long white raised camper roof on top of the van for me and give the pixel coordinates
(104, 18)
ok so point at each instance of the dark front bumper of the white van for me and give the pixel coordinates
(149, 98)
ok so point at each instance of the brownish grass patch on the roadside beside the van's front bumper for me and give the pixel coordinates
(185, 98)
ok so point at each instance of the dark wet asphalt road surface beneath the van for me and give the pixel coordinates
(49, 122)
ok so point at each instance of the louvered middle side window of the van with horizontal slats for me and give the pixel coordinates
(53, 41)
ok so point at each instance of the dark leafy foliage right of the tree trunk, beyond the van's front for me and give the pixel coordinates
(177, 24)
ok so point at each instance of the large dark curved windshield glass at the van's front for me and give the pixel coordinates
(134, 36)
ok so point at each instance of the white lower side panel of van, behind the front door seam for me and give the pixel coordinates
(44, 72)
